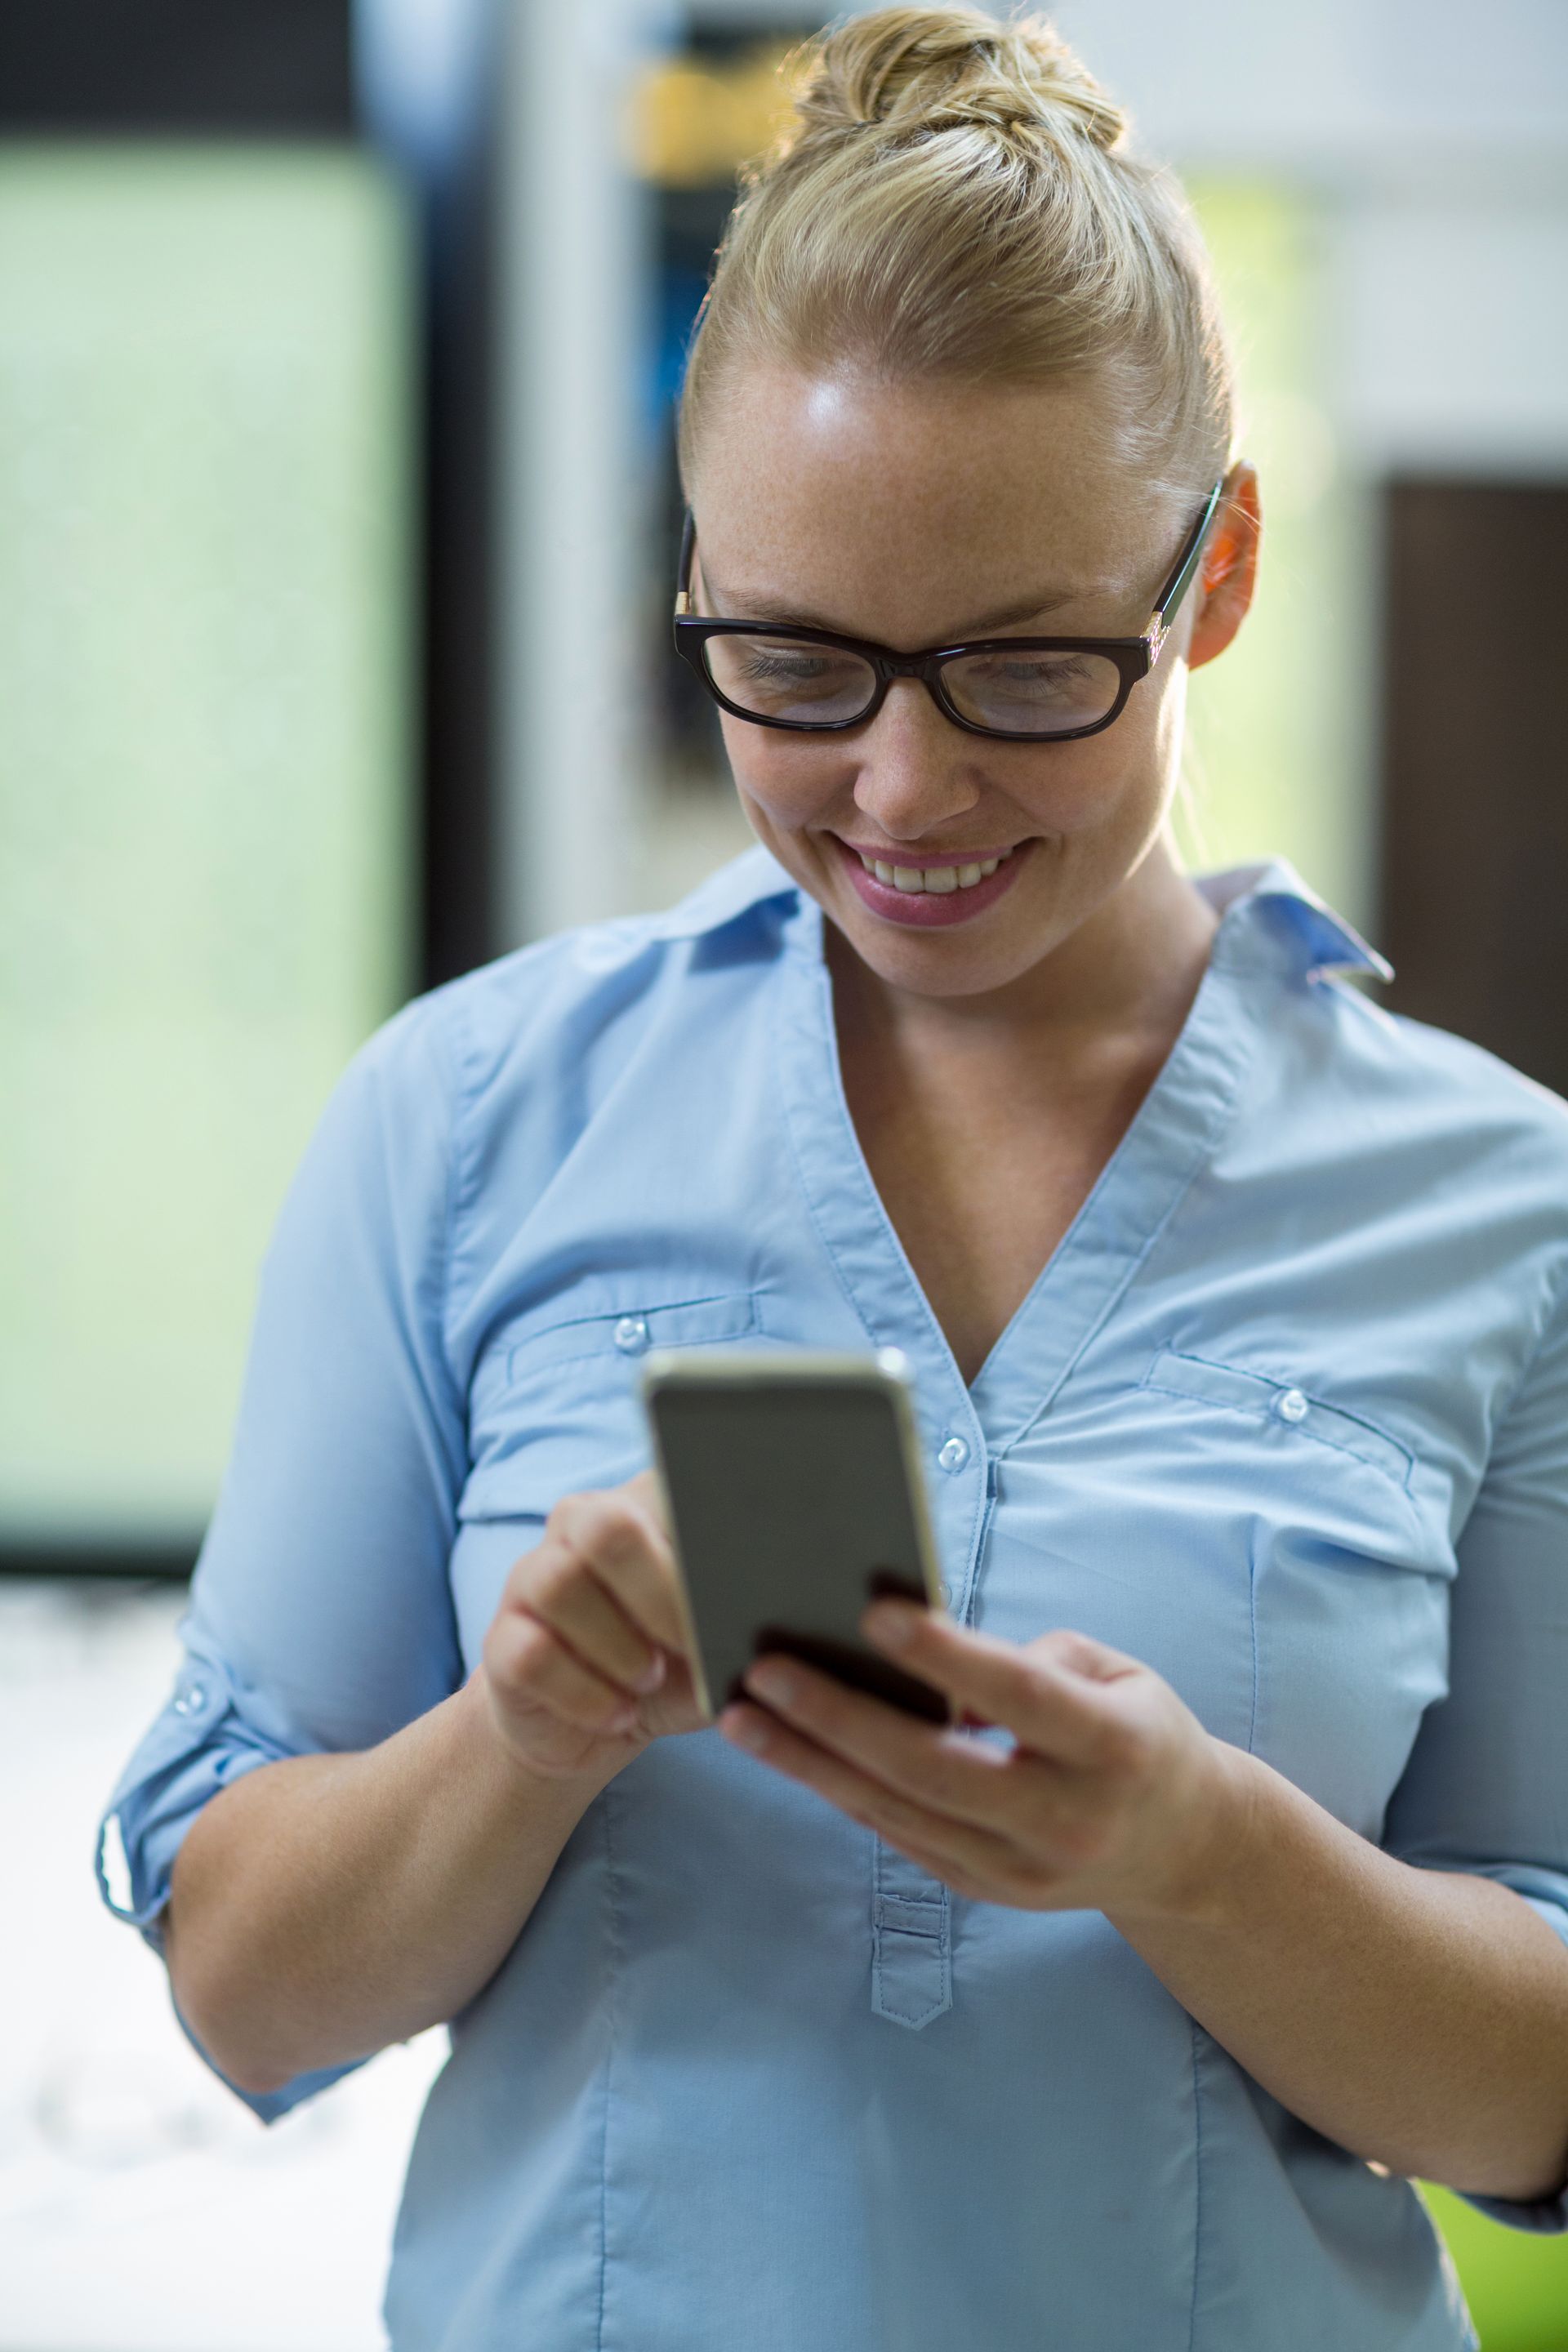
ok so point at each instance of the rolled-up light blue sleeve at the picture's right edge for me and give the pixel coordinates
(1487, 1786)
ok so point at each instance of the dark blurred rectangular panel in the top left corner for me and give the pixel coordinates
(154, 67)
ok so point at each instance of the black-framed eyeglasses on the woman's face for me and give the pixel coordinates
(1031, 690)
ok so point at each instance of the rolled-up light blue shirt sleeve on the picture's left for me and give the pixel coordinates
(321, 1610)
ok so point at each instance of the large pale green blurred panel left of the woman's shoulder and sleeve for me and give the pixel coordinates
(206, 813)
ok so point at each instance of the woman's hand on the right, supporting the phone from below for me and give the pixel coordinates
(1111, 1798)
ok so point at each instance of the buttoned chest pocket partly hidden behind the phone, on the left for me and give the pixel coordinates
(556, 1405)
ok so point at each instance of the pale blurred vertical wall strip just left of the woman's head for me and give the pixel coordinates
(575, 281)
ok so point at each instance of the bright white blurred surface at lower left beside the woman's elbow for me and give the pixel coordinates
(142, 2205)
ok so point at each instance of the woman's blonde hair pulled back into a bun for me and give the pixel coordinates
(956, 201)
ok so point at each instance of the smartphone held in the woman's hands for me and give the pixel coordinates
(796, 1497)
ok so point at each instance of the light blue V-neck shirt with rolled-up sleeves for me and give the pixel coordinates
(1285, 1415)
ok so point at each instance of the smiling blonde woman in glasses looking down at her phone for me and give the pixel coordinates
(1238, 1318)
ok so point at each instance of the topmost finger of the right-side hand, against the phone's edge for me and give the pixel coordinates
(1038, 1697)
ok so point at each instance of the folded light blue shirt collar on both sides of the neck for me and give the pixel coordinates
(1261, 904)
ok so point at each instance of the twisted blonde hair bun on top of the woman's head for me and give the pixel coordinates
(927, 69)
